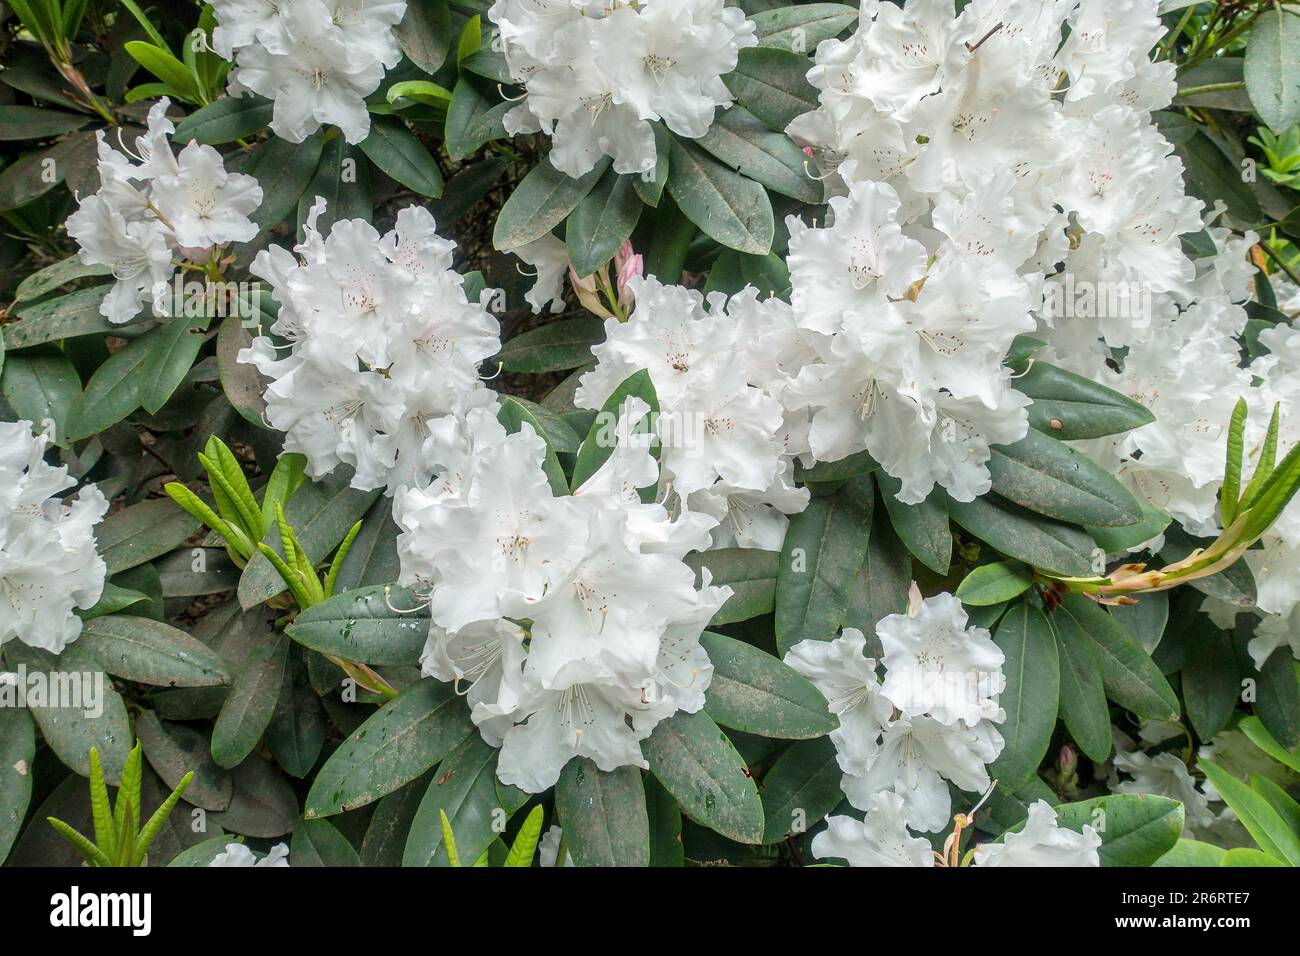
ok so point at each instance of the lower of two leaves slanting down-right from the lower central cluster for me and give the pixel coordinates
(700, 767)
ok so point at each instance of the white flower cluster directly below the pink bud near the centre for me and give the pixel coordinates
(720, 373)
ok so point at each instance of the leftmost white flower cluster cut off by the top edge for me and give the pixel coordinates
(317, 59)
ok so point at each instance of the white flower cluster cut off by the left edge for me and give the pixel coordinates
(49, 564)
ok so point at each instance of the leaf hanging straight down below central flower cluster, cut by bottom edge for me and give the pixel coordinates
(604, 815)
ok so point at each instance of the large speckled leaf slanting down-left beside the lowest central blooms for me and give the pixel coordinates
(398, 743)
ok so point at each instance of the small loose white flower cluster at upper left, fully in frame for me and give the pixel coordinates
(155, 209)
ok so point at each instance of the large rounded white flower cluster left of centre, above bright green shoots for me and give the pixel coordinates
(382, 364)
